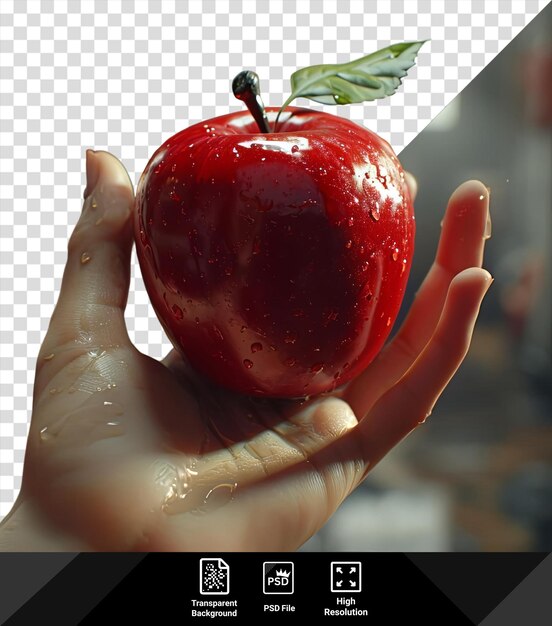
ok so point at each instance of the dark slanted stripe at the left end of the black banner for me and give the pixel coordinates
(72, 593)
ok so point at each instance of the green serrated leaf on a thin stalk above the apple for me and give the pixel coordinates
(374, 76)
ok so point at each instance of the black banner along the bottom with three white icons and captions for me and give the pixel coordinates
(487, 589)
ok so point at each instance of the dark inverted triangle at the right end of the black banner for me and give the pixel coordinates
(477, 582)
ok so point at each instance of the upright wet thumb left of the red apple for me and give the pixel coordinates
(94, 290)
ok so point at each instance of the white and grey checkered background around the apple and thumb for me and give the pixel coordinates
(123, 76)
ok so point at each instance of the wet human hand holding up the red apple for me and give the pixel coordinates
(128, 453)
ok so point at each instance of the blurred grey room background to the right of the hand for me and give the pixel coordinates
(478, 474)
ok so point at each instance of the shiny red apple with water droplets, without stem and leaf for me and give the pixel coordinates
(275, 262)
